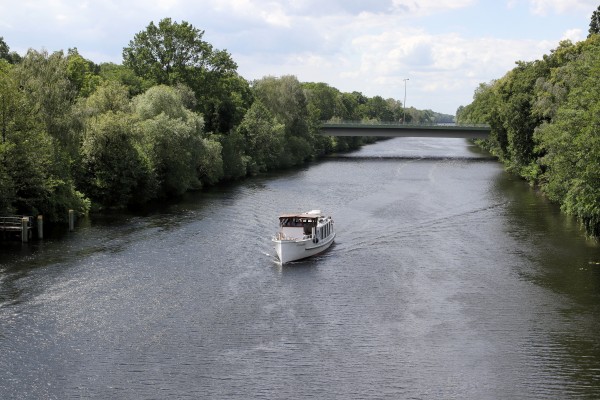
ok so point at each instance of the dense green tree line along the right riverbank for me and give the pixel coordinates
(545, 120)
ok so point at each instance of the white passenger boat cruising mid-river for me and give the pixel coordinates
(303, 235)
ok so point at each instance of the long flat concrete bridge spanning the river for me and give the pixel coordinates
(395, 129)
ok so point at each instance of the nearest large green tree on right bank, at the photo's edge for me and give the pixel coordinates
(570, 142)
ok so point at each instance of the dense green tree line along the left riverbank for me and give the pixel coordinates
(175, 116)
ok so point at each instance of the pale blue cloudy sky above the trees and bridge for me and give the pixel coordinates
(445, 48)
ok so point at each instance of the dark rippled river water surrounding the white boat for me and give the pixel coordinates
(449, 279)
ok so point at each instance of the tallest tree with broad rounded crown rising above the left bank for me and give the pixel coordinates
(173, 53)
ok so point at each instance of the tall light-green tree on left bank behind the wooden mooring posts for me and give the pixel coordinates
(42, 143)
